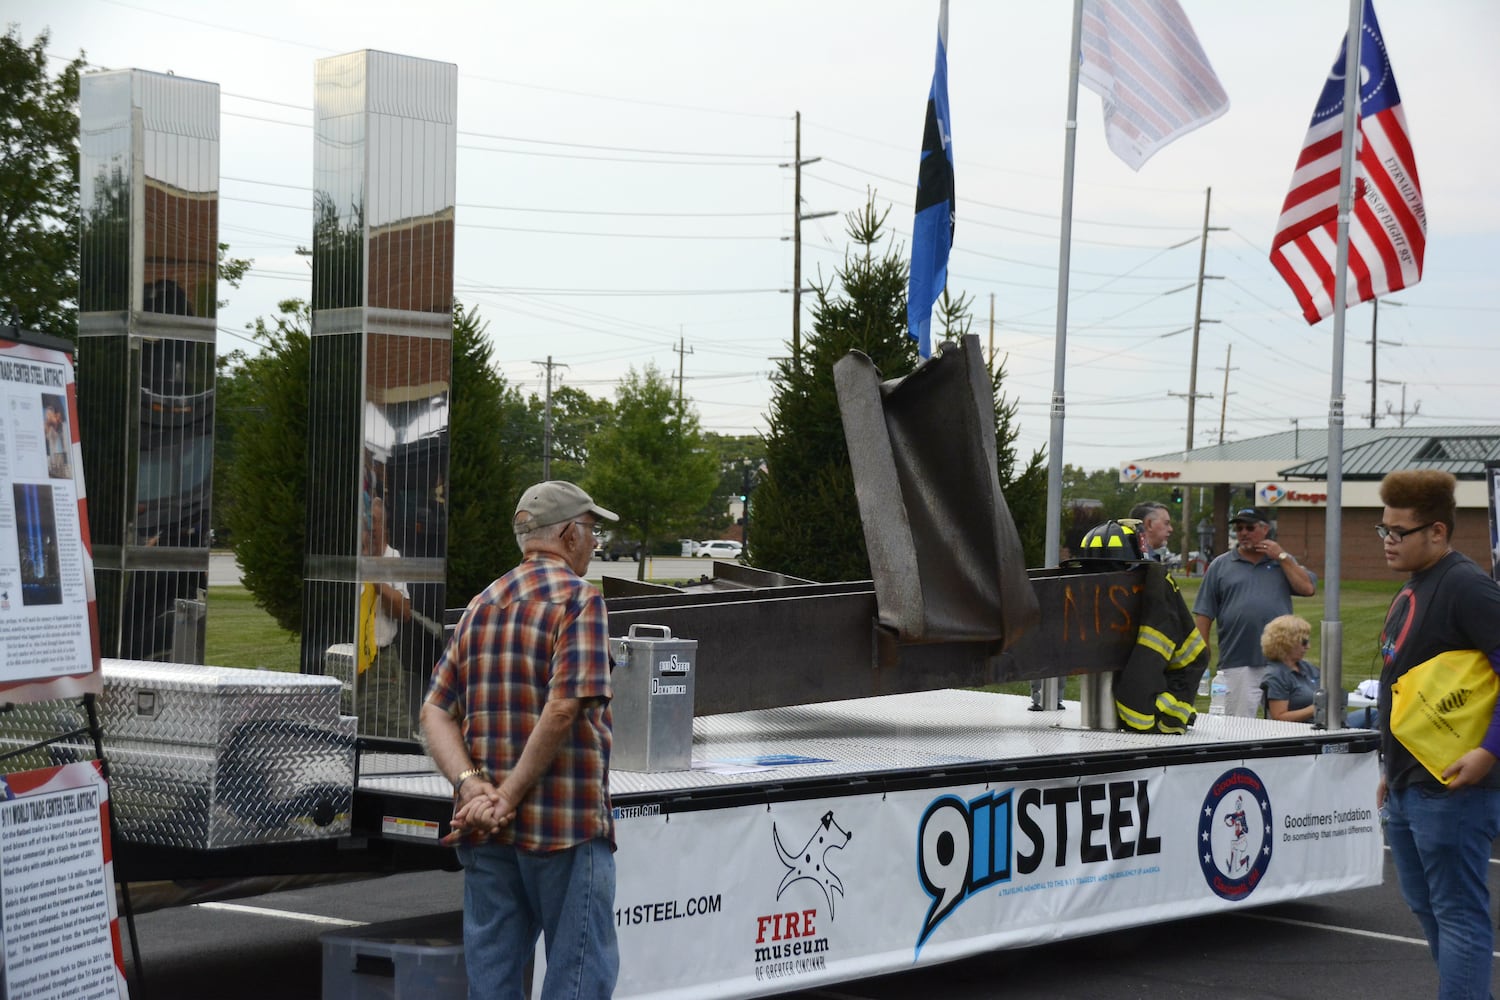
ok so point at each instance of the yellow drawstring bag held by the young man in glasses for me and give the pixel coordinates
(1441, 708)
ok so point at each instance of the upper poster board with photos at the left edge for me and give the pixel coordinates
(49, 617)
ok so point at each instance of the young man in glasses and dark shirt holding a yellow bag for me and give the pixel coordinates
(1441, 791)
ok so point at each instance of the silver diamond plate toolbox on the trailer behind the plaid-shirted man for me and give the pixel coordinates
(208, 758)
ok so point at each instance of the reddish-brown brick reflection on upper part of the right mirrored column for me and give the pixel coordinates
(412, 265)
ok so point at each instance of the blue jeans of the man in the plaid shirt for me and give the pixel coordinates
(512, 896)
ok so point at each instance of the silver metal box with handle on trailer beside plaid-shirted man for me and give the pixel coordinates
(653, 708)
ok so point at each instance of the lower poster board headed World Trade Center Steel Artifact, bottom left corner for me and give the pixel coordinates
(58, 915)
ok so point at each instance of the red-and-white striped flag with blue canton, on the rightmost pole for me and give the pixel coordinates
(1388, 226)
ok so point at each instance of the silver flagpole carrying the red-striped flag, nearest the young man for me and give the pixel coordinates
(1330, 713)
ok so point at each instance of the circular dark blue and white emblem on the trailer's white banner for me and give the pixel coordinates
(1235, 834)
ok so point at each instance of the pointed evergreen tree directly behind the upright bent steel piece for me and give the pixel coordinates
(805, 516)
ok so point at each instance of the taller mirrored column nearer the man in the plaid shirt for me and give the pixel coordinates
(385, 188)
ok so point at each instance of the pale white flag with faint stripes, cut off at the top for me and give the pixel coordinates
(1145, 62)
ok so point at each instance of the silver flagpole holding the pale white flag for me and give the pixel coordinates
(1051, 689)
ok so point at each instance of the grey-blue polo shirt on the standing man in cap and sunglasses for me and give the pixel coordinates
(1241, 597)
